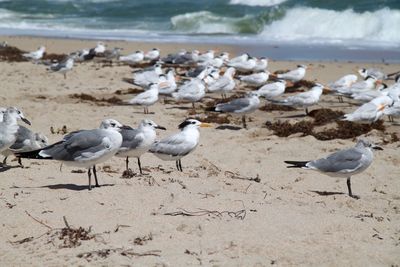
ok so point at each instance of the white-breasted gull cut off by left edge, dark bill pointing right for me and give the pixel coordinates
(9, 127)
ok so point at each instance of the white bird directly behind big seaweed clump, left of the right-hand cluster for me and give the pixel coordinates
(304, 99)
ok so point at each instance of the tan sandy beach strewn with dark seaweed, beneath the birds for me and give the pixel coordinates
(234, 204)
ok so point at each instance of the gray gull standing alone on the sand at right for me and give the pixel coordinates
(343, 164)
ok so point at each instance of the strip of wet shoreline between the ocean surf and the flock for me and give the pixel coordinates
(274, 51)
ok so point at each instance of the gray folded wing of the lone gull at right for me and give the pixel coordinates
(341, 161)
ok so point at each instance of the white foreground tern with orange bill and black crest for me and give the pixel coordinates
(180, 144)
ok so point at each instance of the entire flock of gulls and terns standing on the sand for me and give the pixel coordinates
(206, 73)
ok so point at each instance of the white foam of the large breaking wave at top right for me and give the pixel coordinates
(321, 25)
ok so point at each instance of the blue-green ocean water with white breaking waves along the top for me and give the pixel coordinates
(353, 23)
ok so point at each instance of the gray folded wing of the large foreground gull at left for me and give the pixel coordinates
(76, 144)
